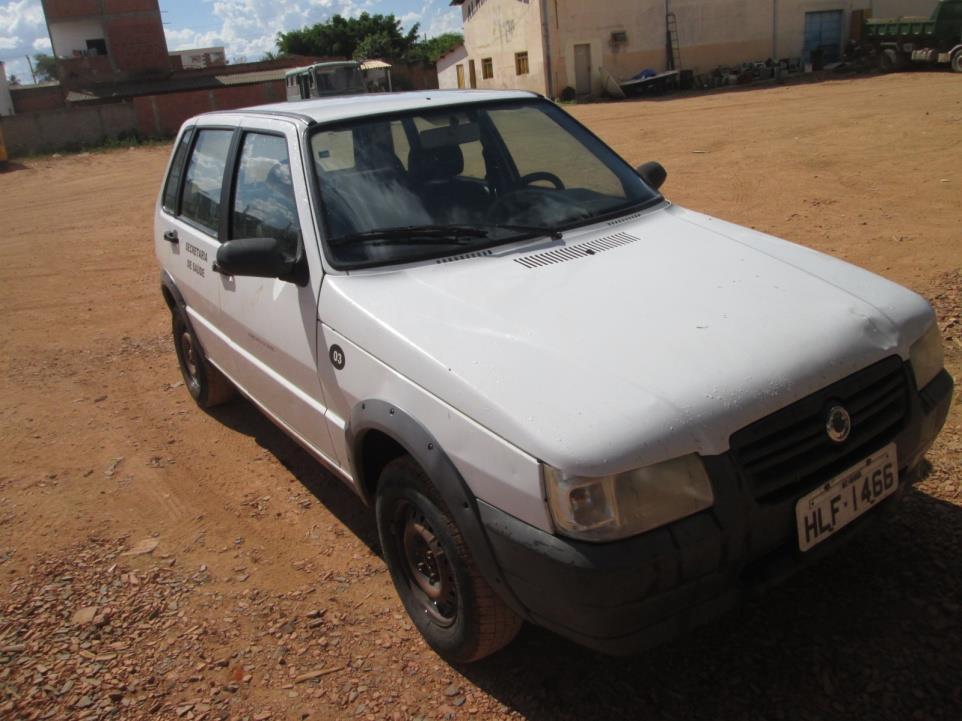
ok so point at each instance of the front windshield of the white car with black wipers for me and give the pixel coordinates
(425, 184)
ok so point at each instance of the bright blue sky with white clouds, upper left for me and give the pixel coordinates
(245, 27)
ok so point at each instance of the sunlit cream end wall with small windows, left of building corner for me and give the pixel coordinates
(498, 29)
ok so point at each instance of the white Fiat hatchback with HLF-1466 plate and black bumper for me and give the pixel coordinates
(569, 401)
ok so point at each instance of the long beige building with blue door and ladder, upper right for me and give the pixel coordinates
(549, 45)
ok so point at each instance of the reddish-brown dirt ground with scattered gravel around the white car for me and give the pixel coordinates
(160, 562)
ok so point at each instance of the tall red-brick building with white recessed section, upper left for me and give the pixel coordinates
(106, 41)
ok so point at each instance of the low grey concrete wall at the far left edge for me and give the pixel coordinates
(68, 128)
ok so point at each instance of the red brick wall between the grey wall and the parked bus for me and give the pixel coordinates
(160, 116)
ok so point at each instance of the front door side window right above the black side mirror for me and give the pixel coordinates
(263, 204)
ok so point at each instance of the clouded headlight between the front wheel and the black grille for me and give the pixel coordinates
(626, 504)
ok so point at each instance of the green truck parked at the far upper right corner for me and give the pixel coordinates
(896, 42)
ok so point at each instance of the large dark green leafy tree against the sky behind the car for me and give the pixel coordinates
(342, 37)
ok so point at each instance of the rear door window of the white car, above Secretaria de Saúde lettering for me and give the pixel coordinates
(205, 177)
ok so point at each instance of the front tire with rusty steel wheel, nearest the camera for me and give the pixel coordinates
(462, 619)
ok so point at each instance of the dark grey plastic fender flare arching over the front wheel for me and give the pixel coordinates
(417, 441)
